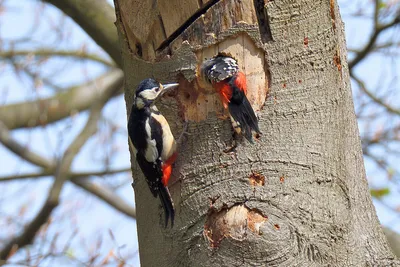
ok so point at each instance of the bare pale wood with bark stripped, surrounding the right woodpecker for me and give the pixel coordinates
(198, 98)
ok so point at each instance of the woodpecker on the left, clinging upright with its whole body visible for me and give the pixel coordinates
(153, 141)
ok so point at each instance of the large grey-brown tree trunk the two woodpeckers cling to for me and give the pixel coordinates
(298, 196)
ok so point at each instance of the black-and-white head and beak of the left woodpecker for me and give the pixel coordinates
(149, 90)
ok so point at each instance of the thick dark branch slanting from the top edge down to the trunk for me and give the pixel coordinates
(96, 18)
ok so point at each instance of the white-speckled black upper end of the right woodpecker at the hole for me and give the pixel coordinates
(219, 68)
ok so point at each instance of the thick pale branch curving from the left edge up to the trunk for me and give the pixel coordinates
(63, 104)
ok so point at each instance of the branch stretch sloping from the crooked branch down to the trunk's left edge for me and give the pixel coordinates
(107, 195)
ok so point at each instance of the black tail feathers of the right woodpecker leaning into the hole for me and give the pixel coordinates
(243, 117)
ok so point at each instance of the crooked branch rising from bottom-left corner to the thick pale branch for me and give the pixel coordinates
(28, 234)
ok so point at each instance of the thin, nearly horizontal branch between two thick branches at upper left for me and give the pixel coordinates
(52, 53)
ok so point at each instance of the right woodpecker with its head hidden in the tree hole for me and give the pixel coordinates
(224, 75)
